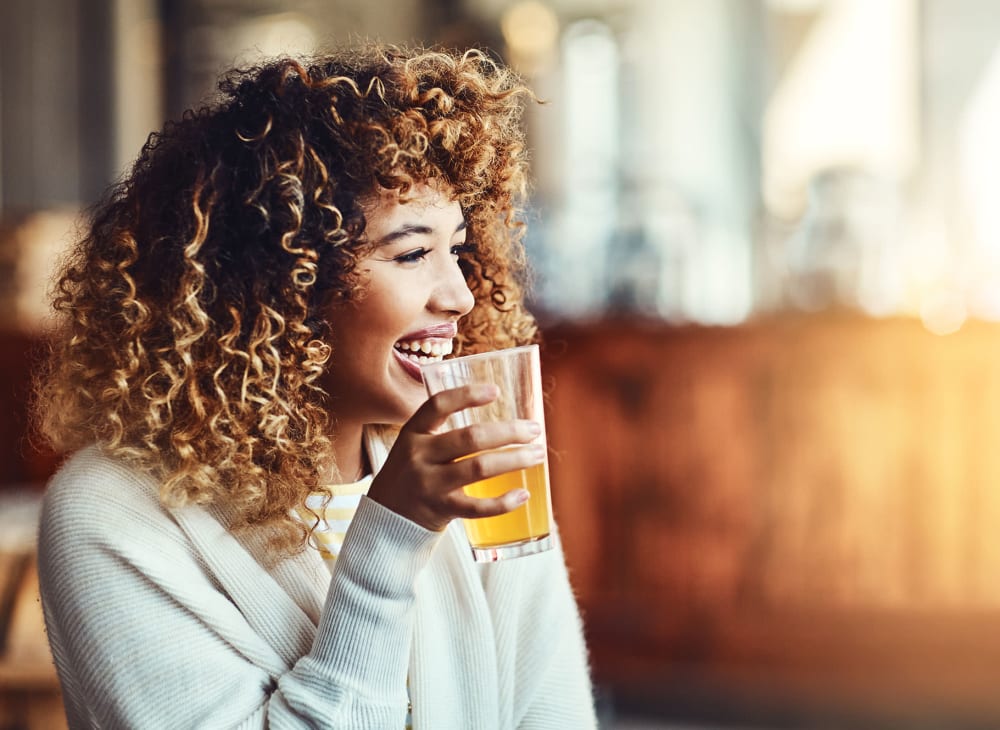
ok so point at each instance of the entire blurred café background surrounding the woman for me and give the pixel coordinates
(766, 237)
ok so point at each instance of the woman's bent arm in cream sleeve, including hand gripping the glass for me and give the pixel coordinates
(144, 632)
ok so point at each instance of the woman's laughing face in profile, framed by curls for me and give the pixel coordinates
(407, 313)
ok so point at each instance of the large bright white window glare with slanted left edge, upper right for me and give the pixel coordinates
(849, 99)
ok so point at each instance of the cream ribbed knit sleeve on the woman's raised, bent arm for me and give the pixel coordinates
(143, 635)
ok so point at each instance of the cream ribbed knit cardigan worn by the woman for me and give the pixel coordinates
(163, 619)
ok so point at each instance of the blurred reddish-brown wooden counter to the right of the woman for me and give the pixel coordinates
(800, 509)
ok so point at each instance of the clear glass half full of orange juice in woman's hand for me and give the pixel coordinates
(517, 372)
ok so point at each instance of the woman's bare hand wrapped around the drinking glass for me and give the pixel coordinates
(422, 478)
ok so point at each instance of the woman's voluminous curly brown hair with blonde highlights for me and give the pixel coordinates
(191, 336)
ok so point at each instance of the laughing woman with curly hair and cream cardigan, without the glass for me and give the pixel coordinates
(243, 325)
